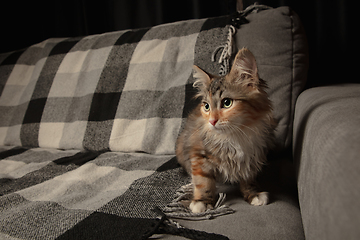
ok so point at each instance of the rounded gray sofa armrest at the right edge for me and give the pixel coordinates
(327, 154)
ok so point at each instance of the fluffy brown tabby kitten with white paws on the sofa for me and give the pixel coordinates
(225, 138)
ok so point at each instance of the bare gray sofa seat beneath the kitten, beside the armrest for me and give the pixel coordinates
(280, 219)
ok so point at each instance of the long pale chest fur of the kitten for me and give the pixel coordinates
(235, 157)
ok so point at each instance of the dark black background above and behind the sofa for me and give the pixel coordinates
(330, 32)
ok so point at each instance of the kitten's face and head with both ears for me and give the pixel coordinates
(235, 101)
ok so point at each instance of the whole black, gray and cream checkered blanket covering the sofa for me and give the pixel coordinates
(88, 129)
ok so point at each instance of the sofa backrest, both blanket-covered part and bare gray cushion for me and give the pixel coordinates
(131, 90)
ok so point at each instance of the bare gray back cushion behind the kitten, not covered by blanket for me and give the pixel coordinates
(278, 41)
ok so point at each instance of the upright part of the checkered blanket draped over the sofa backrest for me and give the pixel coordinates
(122, 91)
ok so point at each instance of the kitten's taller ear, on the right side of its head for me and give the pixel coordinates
(244, 70)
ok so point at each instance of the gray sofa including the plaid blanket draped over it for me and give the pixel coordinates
(88, 128)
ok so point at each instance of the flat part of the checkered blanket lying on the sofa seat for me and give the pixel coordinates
(54, 194)
